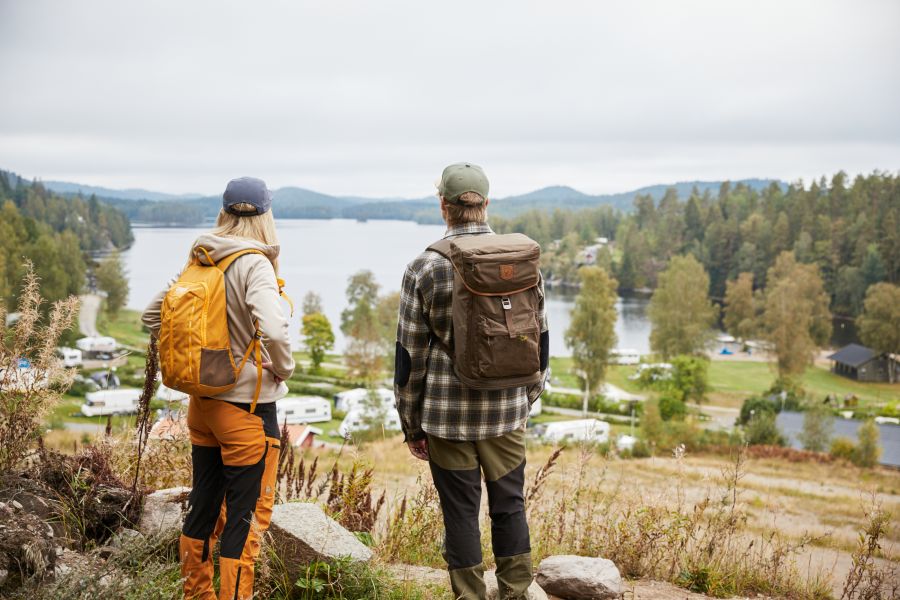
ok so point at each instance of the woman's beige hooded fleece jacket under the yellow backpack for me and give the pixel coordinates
(251, 295)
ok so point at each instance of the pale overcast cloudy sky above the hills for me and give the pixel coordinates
(375, 98)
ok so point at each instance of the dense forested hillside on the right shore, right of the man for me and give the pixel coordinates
(849, 229)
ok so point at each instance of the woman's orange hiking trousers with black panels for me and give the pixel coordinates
(235, 455)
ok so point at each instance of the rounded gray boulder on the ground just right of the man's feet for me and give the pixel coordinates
(580, 578)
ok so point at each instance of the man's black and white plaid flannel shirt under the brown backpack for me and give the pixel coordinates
(433, 400)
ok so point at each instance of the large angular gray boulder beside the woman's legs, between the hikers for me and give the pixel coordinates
(302, 533)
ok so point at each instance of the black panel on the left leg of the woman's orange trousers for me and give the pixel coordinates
(207, 492)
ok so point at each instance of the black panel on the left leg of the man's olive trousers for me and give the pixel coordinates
(460, 493)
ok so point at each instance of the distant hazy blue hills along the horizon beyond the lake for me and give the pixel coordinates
(294, 202)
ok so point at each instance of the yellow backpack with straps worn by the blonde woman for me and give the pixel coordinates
(194, 344)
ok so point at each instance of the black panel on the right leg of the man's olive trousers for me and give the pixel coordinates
(506, 505)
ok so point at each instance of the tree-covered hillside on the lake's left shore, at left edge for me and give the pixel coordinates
(56, 233)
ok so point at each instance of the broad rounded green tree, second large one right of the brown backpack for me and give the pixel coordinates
(681, 314)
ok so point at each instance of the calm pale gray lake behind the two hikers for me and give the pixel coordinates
(320, 255)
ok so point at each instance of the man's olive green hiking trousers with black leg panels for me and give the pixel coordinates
(457, 469)
